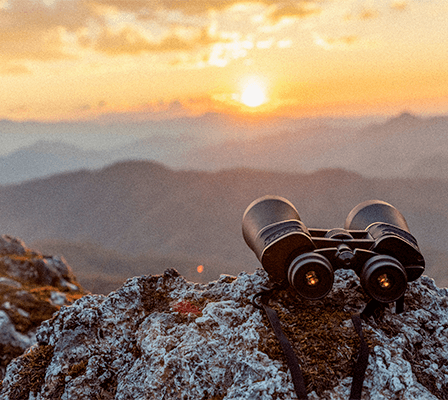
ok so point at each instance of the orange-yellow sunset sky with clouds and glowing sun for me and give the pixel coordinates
(131, 60)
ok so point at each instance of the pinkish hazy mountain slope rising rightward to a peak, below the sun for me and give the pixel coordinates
(403, 146)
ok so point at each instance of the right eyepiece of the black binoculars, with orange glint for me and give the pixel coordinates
(384, 278)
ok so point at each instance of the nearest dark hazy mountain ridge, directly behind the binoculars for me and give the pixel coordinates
(142, 211)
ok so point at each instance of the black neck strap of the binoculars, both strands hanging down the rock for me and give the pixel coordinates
(291, 358)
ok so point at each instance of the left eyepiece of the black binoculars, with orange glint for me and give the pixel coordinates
(311, 275)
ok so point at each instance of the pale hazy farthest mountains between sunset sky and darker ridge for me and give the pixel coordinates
(404, 146)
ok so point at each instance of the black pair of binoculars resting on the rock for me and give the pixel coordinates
(375, 243)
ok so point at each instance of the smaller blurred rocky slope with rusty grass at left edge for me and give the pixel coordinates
(32, 288)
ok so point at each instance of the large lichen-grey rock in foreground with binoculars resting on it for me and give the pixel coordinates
(162, 337)
